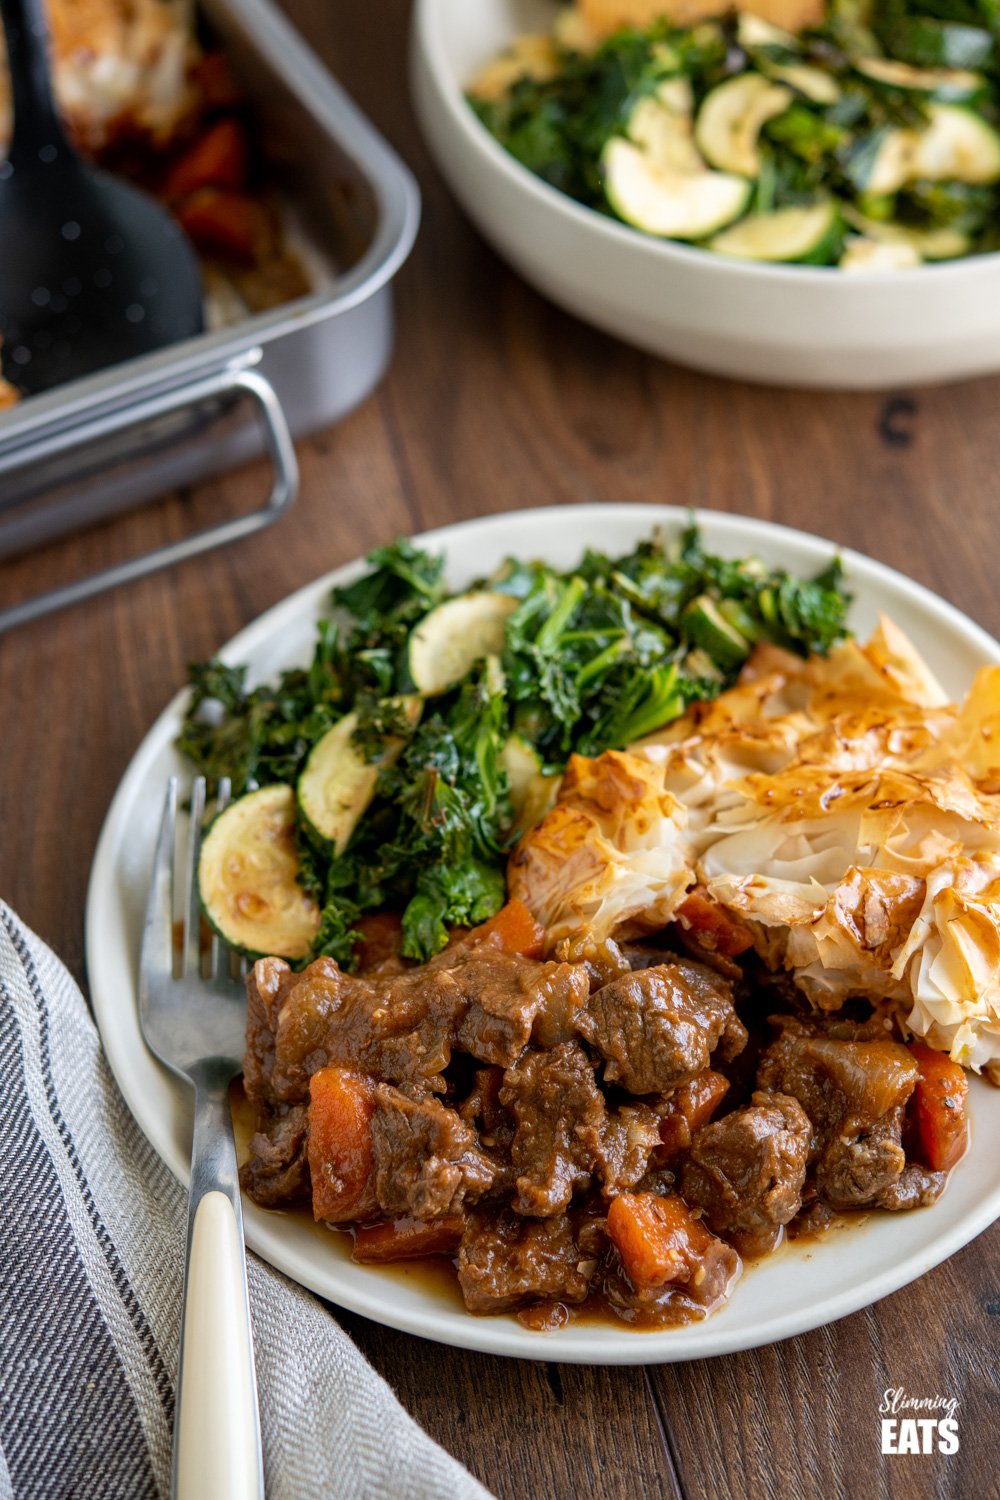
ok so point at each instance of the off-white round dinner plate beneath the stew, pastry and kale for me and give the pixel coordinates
(797, 1289)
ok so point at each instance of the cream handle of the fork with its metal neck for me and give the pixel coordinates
(217, 1432)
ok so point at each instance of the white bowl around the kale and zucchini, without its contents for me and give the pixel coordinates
(780, 325)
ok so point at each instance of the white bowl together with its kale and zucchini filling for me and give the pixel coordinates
(809, 208)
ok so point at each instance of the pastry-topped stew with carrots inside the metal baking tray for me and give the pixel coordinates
(146, 98)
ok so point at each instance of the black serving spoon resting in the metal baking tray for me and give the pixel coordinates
(92, 272)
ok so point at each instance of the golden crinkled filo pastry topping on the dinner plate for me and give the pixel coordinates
(840, 808)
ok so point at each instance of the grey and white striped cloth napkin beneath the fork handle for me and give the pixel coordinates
(92, 1244)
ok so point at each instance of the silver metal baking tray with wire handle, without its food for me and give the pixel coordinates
(121, 439)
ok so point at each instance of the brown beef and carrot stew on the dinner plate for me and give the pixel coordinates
(614, 1133)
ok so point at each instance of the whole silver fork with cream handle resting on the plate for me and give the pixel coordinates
(196, 1027)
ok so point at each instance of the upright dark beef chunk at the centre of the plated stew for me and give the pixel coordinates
(560, 1115)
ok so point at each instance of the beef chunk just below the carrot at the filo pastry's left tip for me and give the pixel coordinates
(518, 1000)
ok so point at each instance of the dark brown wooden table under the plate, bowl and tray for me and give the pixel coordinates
(499, 401)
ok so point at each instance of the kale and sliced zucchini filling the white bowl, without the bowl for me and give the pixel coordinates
(861, 137)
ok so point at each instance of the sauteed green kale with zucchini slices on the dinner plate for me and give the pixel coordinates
(431, 728)
